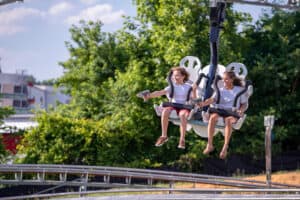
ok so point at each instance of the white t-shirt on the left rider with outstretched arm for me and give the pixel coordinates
(180, 92)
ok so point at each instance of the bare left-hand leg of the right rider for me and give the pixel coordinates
(211, 130)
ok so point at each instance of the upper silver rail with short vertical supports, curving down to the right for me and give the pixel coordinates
(101, 176)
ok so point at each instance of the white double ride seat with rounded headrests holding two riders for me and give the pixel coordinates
(197, 75)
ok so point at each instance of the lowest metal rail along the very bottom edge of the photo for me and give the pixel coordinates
(171, 193)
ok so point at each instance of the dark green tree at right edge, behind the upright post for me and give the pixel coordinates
(273, 52)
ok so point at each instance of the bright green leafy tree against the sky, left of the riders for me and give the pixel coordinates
(94, 57)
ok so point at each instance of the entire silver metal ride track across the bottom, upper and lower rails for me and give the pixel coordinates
(127, 180)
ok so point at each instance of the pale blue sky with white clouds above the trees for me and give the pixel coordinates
(33, 33)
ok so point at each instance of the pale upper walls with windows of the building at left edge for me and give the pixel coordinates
(24, 97)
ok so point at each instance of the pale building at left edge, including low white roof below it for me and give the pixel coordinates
(17, 91)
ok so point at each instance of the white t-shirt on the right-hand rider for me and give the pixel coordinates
(227, 97)
